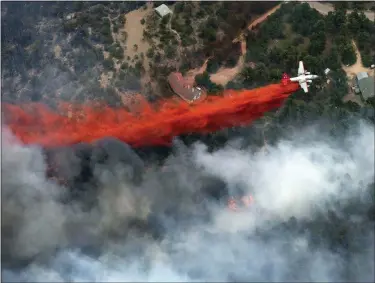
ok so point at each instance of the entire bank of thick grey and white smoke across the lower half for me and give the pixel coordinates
(149, 222)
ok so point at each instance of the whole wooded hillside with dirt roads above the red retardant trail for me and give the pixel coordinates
(108, 51)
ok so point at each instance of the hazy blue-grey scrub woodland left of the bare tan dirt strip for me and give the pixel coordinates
(32, 72)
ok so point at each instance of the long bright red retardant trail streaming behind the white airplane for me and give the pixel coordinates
(35, 123)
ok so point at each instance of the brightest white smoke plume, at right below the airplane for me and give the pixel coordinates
(296, 177)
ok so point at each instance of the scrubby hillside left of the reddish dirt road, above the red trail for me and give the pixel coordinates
(107, 50)
